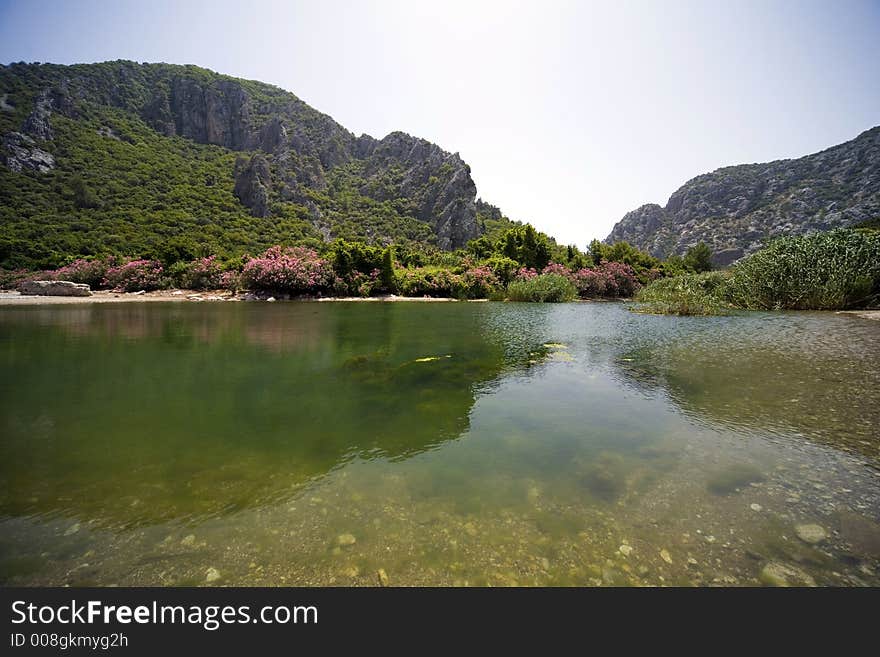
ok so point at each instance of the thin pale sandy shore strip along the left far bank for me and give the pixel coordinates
(11, 298)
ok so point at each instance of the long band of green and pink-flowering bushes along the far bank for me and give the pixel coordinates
(521, 263)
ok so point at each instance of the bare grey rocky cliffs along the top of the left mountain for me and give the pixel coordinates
(281, 138)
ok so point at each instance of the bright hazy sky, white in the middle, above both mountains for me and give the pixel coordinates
(569, 113)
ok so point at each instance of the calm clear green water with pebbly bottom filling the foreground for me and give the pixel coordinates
(443, 443)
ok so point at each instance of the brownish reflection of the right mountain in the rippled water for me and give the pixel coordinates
(814, 375)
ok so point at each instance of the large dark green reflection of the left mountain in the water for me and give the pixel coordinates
(130, 414)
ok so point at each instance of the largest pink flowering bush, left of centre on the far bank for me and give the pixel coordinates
(292, 270)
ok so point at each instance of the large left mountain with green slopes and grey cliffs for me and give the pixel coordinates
(131, 158)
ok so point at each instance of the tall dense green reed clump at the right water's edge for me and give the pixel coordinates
(822, 271)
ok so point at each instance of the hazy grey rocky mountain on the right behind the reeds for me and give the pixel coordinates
(735, 210)
